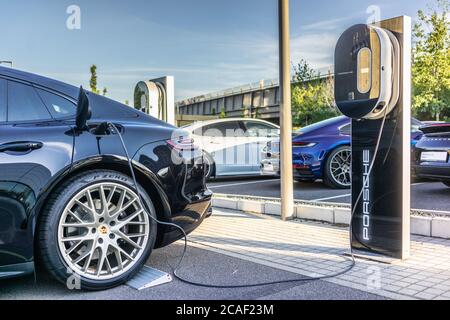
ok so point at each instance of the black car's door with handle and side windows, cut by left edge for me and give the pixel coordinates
(34, 148)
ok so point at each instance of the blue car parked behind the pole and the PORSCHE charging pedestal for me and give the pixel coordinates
(321, 151)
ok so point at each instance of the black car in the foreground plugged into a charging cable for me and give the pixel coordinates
(67, 198)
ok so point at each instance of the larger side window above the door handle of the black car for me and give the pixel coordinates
(24, 104)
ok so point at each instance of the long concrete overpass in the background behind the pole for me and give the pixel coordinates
(257, 100)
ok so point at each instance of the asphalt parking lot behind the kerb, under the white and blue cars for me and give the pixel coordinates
(424, 195)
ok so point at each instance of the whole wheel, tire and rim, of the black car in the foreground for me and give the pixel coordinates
(94, 231)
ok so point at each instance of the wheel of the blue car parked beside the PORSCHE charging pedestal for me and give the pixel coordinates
(338, 168)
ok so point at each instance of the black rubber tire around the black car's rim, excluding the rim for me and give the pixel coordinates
(50, 254)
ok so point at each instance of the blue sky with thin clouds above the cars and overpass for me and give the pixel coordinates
(208, 45)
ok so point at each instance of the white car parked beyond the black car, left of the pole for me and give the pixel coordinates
(232, 146)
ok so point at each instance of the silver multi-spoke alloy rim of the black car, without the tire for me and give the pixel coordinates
(103, 231)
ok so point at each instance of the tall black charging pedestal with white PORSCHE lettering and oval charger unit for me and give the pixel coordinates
(380, 197)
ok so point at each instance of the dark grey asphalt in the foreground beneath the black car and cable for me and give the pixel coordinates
(200, 265)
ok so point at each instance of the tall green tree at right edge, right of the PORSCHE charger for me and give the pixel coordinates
(431, 63)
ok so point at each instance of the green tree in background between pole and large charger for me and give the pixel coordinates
(312, 96)
